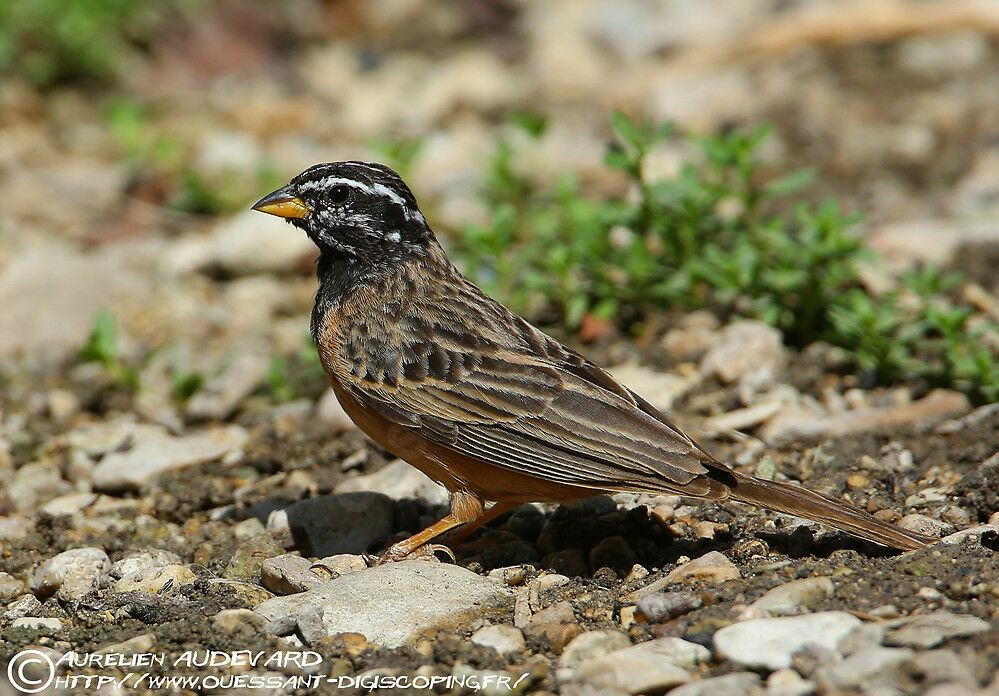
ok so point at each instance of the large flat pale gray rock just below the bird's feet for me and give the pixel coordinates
(395, 603)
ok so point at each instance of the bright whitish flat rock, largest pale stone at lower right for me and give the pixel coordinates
(770, 643)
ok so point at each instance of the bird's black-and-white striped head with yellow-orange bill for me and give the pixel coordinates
(359, 211)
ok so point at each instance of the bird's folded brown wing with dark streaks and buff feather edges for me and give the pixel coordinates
(563, 420)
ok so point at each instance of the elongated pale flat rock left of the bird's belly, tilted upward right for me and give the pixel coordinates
(136, 468)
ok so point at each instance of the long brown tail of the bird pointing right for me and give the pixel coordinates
(802, 502)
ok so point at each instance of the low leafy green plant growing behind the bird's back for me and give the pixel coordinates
(720, 233)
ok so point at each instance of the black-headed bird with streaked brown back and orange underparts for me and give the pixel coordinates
(448, 379)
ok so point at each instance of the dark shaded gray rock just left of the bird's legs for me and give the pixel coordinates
(336, 523)
